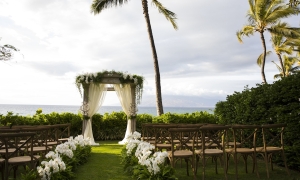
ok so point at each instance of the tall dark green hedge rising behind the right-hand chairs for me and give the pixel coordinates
(268, 104)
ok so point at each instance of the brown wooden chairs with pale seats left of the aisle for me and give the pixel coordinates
(26, 145)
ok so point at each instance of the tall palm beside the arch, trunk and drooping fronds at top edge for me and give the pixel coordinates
(97, 7)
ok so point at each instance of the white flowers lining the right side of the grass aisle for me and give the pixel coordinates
(144, 153)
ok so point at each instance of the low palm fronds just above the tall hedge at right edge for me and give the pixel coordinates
(289, 67)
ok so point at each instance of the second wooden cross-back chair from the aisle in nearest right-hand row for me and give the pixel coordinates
(212, 145)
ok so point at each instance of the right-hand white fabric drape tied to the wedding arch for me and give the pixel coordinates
(124, 94)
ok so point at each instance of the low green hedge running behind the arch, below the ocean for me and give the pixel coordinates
(105, 127)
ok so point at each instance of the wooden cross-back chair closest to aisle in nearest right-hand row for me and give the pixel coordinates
(180, 137)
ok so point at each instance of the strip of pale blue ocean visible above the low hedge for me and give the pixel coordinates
(25, 110)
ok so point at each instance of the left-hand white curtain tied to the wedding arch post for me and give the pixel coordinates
(96, 97)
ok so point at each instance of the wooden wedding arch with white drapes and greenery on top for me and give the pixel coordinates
(128, 87)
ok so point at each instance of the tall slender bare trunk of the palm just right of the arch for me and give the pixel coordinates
(159, 106)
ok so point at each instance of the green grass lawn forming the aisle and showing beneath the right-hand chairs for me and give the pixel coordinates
(104, 164)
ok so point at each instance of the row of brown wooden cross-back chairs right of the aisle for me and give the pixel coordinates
(193, 142)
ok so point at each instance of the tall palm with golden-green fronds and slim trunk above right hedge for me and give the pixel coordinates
(262, 15)
